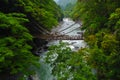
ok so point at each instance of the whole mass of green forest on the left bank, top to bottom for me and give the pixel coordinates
(17, 17)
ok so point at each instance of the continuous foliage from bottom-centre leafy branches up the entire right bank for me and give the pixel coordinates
(101, 61)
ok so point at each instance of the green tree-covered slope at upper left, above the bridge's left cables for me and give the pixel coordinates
(45, 12)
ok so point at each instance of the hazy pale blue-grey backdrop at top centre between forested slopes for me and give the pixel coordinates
(64, 3)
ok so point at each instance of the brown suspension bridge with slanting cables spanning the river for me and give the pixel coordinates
(58, 36)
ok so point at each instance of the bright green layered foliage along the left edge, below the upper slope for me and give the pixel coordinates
(15, 54)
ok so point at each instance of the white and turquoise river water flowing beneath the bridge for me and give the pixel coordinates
(44, 73)
